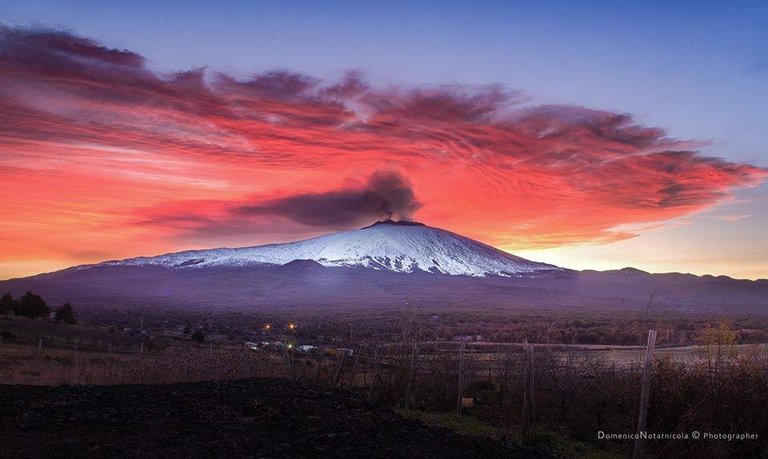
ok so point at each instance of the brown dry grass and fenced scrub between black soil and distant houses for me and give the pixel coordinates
(578, 391)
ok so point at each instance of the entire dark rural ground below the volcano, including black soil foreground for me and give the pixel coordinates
(383, 384)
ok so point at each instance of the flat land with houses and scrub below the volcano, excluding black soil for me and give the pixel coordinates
(708, 375)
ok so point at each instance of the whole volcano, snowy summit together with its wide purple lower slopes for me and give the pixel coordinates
(381, 265)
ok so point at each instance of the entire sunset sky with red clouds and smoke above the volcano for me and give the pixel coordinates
(584, 134)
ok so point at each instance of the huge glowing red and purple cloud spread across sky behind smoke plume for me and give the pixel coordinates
(93, 142)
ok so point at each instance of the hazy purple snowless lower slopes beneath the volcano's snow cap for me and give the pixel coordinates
(308, 284)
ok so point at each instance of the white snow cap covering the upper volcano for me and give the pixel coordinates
(385, 245)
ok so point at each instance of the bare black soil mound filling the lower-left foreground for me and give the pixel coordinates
(245, 418)
